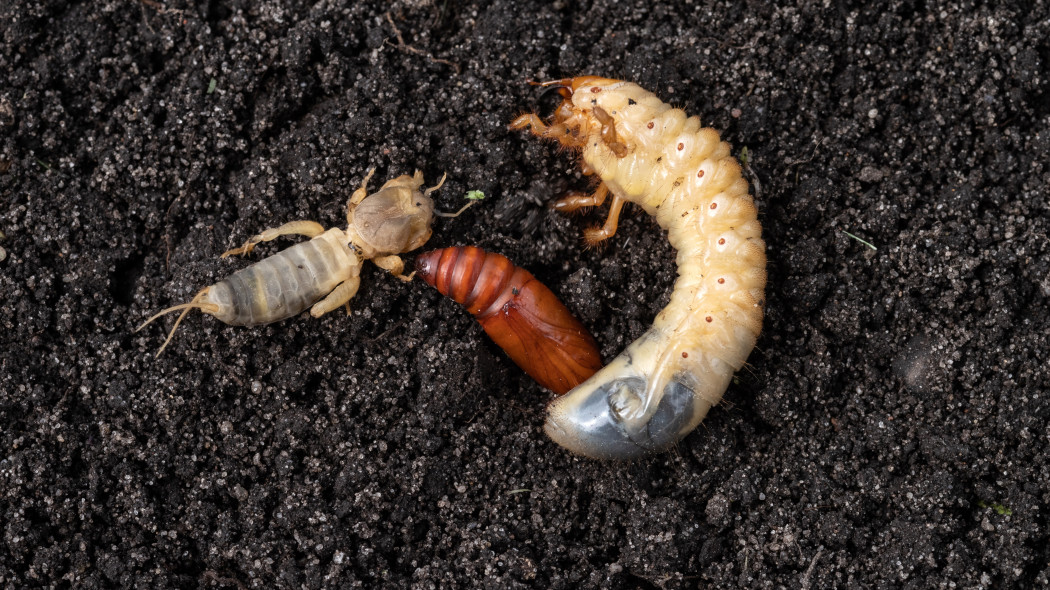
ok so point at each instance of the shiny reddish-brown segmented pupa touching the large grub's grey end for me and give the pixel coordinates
(518, 312)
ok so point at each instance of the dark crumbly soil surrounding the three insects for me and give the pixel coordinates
(891, 430)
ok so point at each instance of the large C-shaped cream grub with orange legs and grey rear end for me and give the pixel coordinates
(650, 154)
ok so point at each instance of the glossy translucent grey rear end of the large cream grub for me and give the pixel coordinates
(604, 417)
